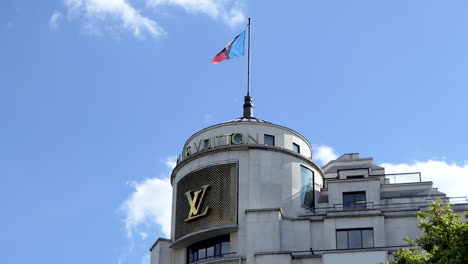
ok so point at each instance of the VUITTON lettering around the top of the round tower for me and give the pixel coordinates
(216, 141)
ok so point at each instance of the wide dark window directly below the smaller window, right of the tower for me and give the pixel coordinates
(354, 238)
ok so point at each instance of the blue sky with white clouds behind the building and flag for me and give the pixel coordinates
(98, 96)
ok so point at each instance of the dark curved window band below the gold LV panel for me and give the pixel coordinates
(208, 249)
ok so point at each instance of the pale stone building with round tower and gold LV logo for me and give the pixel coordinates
(247, 191)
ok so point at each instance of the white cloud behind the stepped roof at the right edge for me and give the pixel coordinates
(449, 178)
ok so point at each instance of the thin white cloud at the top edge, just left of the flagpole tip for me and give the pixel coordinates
(216, 9)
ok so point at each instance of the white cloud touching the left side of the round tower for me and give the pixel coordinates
(149, 204)
